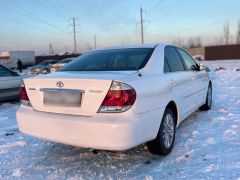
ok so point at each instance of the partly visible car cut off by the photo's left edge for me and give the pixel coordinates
(10, 82)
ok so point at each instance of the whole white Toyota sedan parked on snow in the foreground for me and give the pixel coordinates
(116, 98)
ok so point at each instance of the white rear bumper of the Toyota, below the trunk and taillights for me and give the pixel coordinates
(120, 131)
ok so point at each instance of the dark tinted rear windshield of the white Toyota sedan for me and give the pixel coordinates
(111, 60)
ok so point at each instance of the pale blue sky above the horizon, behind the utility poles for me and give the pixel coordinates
(33, 24)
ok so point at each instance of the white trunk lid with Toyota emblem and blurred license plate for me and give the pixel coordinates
(75, 93)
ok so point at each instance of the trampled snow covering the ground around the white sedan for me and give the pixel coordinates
(207, 145)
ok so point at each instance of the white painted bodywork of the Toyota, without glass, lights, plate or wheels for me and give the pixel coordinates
(85, 127)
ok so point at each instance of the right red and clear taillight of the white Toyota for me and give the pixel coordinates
(119, 98)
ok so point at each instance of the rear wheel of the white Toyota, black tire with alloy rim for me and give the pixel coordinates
(163, 143)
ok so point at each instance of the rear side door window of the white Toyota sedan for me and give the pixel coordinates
(172, 60)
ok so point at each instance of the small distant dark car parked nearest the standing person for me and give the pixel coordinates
(43, 67)
